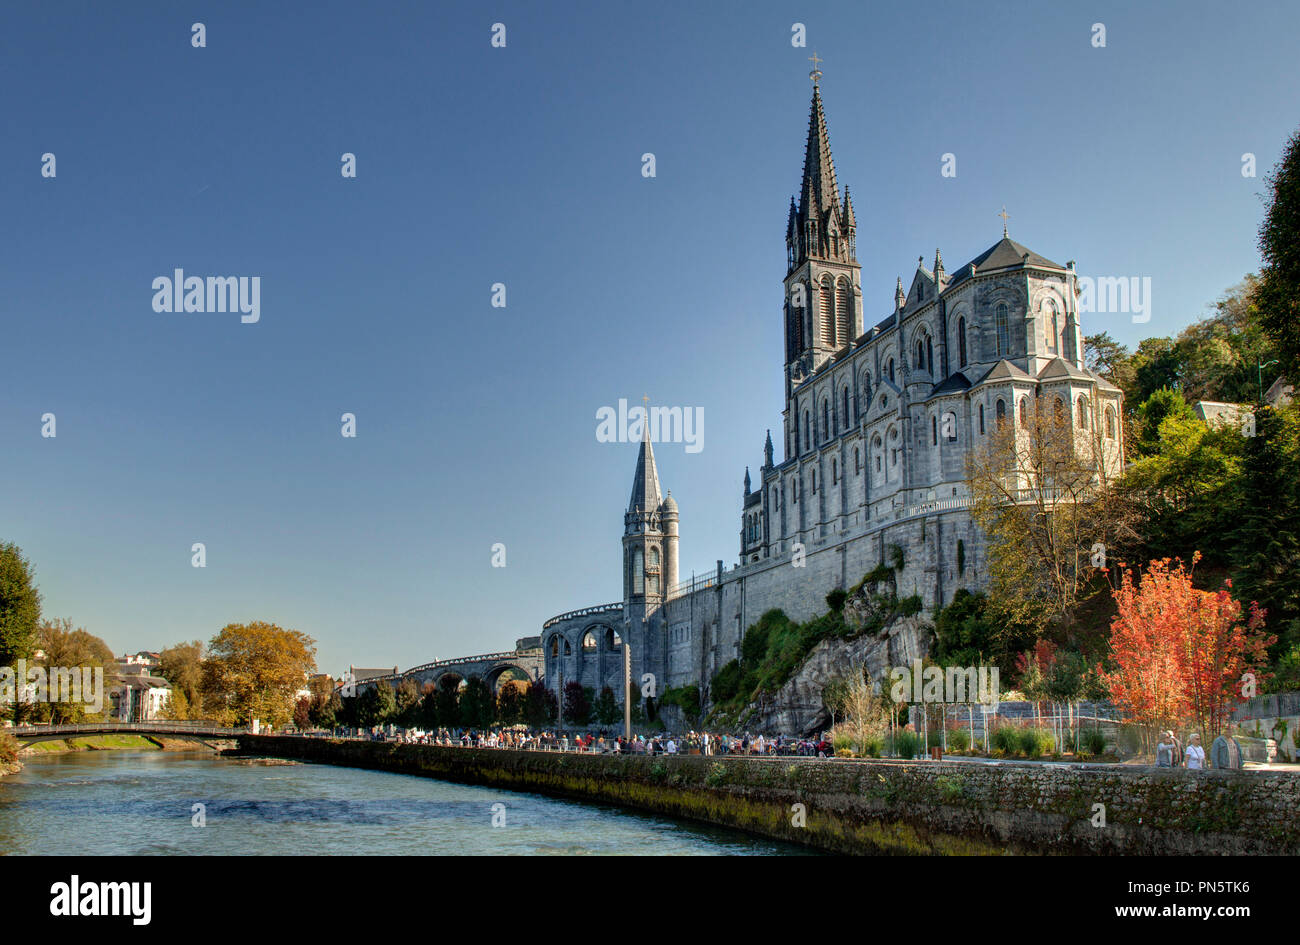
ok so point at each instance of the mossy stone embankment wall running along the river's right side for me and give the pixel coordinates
(874, 808)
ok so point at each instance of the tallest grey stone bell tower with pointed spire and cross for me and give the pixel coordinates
(824, 280)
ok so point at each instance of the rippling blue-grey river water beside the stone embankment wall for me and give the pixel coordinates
(142, 803)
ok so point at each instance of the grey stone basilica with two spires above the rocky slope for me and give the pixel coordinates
(877, 432)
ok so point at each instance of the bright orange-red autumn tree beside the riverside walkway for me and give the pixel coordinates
(1181, 653)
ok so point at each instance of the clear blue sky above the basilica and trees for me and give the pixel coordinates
(522, 166)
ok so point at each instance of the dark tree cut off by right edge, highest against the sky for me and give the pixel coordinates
(1279, 297)
